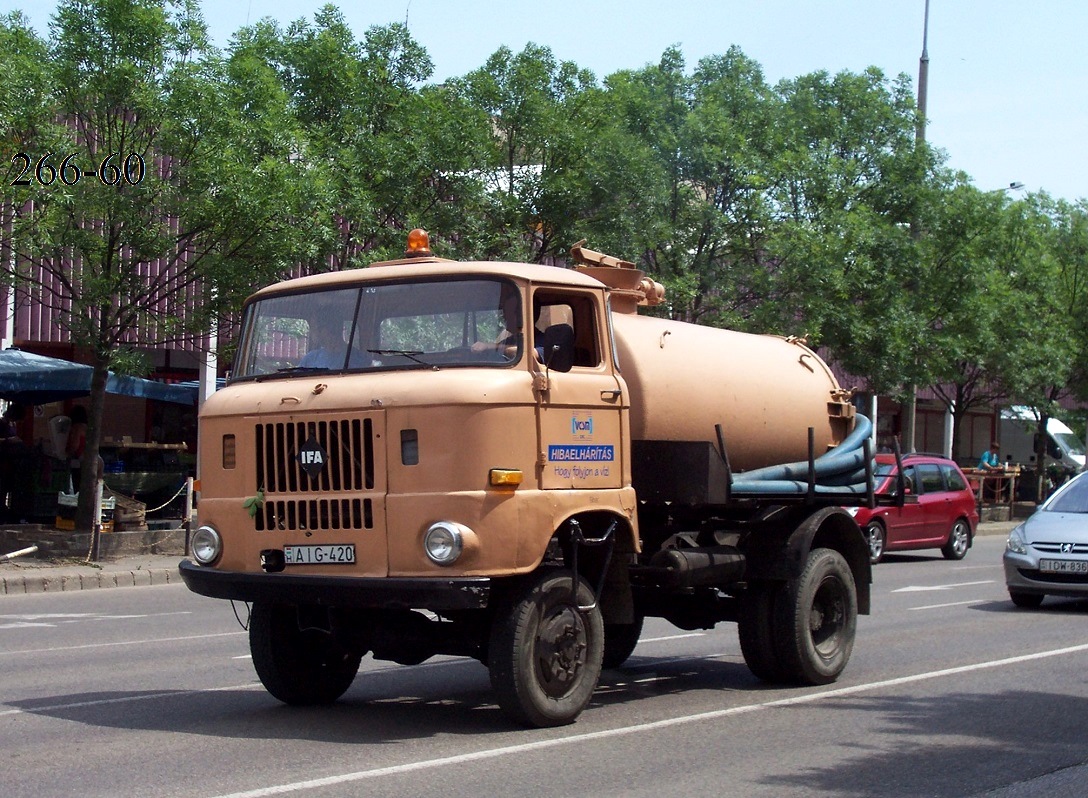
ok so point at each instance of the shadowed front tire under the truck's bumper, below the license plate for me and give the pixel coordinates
(300, 668)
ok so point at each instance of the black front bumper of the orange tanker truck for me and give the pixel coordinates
(398, 594)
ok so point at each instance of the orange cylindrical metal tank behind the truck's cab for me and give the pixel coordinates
(765, 391)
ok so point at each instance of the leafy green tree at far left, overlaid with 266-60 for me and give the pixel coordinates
(192, 187)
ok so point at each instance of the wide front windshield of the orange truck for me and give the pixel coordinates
(386, 326)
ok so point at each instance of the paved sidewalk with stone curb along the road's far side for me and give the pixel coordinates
(30, 575)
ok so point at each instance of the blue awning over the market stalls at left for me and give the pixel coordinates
(31, 379)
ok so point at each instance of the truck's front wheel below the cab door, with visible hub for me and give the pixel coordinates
(545, 654)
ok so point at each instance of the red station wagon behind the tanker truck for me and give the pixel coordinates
(938, 512)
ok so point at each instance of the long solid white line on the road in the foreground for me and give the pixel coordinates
(638, 729)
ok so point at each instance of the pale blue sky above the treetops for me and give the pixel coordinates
(1008, 89)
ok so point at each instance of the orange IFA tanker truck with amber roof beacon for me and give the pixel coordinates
(508, 462)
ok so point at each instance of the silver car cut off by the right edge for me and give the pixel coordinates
(1048, 554)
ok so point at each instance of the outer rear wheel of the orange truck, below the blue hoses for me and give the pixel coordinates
(817, 619)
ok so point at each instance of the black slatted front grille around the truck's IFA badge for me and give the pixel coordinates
(349, 468)
